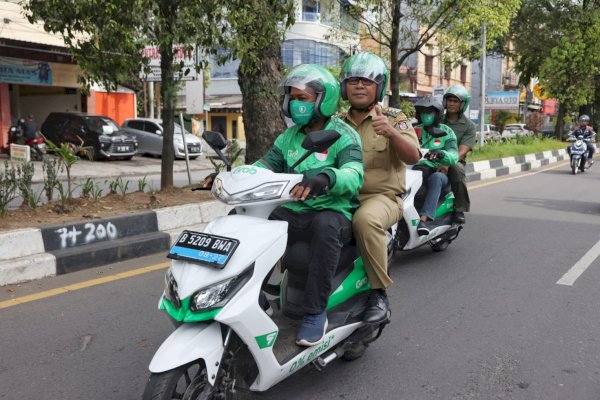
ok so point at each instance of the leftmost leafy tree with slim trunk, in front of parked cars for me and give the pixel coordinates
(107, 42)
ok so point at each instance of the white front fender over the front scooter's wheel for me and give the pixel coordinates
(188, 343)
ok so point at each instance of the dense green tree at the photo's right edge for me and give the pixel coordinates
(558, 42)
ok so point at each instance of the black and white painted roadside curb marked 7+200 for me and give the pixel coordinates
(35, 253)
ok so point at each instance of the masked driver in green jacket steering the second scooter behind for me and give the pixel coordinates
(440, 140)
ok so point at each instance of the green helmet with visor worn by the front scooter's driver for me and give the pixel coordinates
(318, 79)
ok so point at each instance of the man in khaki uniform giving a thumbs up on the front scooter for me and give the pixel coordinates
(389, 143)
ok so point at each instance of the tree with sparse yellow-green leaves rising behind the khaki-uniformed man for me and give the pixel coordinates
(403, 28)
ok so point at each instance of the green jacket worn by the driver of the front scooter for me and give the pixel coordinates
(342, 163)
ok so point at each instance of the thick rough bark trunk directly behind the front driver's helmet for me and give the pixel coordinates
(260, 99)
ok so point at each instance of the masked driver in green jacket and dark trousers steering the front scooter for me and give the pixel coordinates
(327, 196)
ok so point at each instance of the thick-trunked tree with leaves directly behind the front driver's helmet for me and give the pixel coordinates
(253, 33)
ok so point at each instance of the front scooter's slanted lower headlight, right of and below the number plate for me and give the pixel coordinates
(219, 294)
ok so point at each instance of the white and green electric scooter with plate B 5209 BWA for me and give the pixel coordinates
(232, 340)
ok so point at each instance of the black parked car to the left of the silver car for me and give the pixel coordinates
(101, 136)
